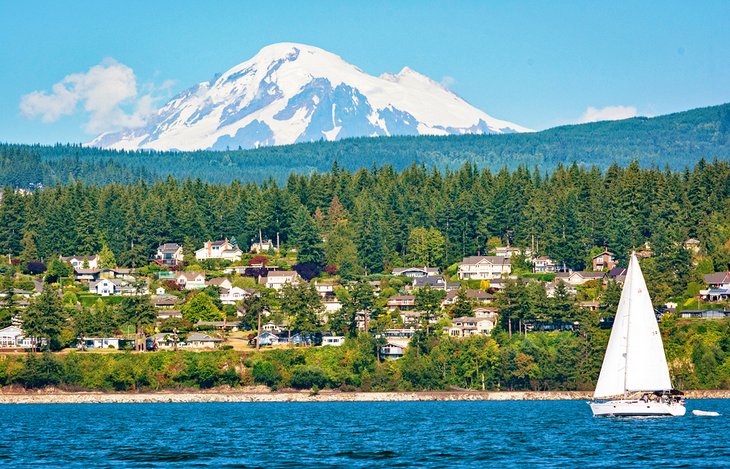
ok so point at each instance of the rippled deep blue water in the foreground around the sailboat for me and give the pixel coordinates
(354, 434)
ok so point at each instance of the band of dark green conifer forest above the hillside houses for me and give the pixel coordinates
(372, 220)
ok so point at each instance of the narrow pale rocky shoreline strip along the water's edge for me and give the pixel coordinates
(53, 396)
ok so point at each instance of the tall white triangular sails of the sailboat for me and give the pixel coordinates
(635, 359)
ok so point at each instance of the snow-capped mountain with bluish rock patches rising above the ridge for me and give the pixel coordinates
(290, 93)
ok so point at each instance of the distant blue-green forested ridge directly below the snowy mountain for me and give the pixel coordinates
(676, 140)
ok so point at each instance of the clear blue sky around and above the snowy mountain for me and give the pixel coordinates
(537, 63)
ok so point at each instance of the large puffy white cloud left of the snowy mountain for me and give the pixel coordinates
(107, 92)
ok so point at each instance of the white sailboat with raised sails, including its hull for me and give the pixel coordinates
(634, 379)
